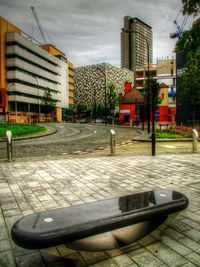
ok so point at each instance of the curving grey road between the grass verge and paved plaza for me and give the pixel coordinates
(69, 138)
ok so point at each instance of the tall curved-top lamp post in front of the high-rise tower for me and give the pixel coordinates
(148, 77)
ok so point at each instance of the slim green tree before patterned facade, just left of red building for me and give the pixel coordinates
(112, 99)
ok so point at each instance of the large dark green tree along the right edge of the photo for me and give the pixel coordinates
(189, 45)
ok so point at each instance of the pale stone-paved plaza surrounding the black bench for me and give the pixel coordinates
(32, 186)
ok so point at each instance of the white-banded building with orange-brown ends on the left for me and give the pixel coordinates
(27, 69)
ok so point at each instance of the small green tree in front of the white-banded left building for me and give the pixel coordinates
(48, 103)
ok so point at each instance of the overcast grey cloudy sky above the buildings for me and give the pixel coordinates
(88, 31)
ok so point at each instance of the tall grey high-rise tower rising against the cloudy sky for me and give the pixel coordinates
(136, 37)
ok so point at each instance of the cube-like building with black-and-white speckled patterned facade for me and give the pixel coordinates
(91, 82)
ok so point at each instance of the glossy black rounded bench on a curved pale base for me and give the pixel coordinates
(99, 225)
